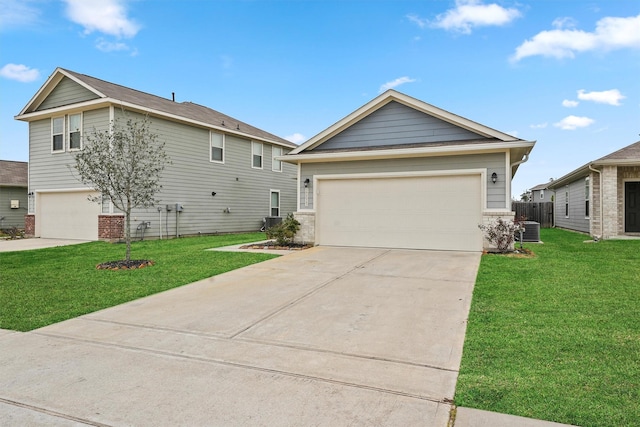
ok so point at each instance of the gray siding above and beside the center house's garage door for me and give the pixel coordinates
(494, 162)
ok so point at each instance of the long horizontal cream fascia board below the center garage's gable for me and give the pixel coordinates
(405, 152)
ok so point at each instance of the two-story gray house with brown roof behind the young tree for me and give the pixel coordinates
(224, 175)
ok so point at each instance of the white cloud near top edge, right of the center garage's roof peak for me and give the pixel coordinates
(469, 14)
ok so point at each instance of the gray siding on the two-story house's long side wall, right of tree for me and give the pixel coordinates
(191, 178)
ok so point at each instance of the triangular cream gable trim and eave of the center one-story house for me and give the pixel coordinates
(486, 137)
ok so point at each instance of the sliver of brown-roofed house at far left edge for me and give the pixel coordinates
(13, 193)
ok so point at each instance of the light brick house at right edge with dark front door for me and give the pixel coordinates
(601, 198)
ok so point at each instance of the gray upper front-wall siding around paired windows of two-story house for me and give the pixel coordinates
(49, 170)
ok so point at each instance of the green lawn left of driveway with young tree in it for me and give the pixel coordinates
(45, 286)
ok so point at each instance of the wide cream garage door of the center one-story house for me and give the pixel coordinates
(427, 212)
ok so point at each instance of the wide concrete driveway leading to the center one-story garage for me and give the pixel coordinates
(325, 336)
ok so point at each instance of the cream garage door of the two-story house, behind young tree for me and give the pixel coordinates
(67, 216)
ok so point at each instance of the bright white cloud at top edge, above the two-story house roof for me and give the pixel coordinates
(105, 16)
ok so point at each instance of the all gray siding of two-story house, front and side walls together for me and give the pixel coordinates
(189, 179)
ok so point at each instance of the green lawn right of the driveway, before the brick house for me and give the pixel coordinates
(557, 337)
